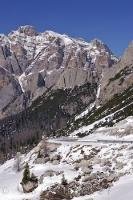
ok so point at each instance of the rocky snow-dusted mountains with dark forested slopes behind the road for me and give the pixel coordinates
(54, 84)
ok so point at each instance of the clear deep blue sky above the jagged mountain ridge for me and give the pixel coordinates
(109, 20)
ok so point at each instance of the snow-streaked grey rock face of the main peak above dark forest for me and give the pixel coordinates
(38, 61)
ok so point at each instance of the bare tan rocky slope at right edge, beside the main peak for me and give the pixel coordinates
(118, 78)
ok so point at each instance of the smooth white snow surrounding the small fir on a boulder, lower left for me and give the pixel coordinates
(10, 188)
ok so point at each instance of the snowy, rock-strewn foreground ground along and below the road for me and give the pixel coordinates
(89, 161)
